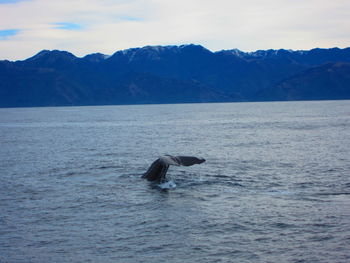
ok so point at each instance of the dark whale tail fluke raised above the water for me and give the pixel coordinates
(159, 167)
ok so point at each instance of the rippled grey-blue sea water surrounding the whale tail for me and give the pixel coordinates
(275, 186)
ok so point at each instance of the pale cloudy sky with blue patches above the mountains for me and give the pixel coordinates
(88, 26)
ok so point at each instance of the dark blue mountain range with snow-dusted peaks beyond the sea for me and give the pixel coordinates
(174, 74)
